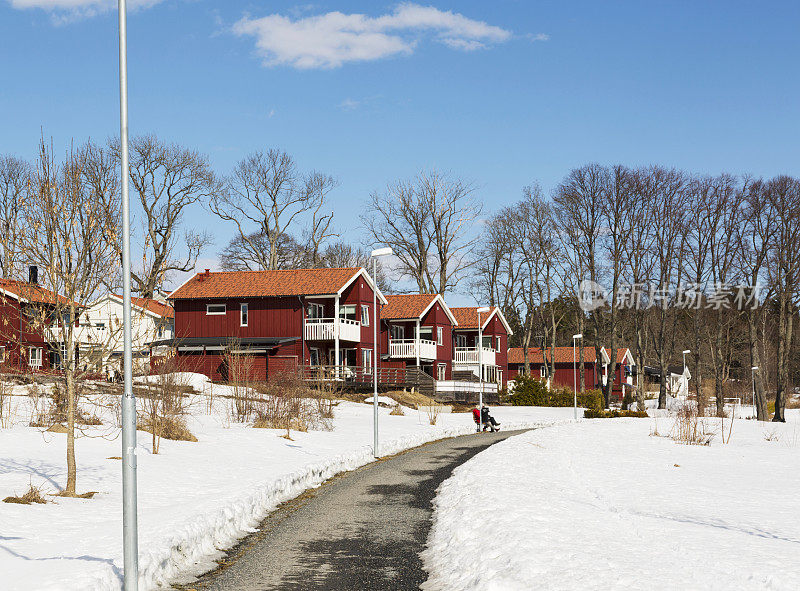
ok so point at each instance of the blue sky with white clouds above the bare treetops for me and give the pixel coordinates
(504, 93)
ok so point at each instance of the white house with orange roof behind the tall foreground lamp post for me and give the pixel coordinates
(100, 331)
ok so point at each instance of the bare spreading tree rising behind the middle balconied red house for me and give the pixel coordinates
(428, 222)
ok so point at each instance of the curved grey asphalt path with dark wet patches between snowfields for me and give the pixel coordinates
(360, 530)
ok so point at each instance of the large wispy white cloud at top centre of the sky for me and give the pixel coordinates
(334, 38)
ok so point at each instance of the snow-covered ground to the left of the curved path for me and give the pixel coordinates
(194, 498)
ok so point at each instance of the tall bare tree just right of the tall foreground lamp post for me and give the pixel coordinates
(168, 179)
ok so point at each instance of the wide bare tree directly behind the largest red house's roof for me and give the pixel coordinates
(265, 196)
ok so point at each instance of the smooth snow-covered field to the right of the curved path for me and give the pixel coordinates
(602, 504)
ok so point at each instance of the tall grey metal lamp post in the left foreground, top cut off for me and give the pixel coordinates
(130, 536)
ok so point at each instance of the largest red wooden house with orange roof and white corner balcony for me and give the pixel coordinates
(280, 319)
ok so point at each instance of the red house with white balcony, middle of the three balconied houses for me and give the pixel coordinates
(417, 331)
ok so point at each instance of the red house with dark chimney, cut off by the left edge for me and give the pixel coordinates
(26, 341)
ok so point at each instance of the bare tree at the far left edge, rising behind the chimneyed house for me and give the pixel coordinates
(14, 177)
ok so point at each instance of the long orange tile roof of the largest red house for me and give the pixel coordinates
(288, 282)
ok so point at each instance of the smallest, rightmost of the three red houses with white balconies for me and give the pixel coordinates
(492, 355)
